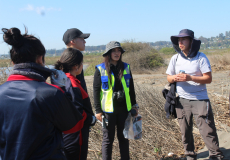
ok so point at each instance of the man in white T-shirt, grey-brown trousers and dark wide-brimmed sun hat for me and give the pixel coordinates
(191, 71)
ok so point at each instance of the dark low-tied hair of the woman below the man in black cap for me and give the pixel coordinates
(69, 58)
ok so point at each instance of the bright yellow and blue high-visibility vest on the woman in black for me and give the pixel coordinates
(106, 95)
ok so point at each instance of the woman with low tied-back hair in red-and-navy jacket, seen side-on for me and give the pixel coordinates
(76, 144)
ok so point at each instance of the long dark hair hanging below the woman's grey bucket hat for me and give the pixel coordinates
(120, 65)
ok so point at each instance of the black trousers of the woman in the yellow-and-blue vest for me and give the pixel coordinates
(115, 119)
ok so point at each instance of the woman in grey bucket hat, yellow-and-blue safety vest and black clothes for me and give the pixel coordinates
(114, 97)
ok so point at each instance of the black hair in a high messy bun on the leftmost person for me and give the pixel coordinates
(25, 48)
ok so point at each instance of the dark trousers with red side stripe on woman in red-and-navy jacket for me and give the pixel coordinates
(76, 144)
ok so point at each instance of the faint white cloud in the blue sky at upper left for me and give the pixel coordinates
(39, 10)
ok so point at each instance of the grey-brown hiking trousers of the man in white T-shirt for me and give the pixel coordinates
(202, 112)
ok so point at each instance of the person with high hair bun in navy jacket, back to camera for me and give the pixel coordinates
(33, 114)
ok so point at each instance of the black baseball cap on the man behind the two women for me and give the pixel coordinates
(73, 33)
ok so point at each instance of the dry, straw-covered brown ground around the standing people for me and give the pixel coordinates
(159, 132)
